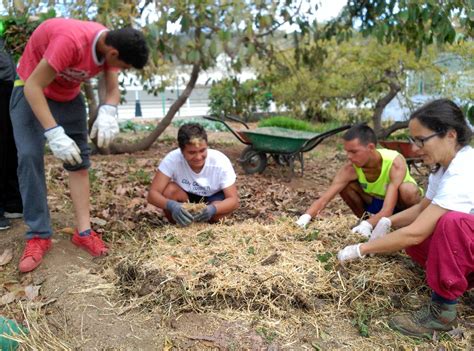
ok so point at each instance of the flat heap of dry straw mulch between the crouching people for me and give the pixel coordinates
(249, 266)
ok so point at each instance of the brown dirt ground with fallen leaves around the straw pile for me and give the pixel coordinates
(72, 300)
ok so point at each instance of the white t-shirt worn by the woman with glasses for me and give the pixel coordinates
(453, 188)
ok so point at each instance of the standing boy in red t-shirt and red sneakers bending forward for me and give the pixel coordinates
(46, 102)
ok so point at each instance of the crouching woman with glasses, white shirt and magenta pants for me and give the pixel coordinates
(438, 233)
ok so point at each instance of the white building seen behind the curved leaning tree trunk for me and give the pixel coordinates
(157, 106)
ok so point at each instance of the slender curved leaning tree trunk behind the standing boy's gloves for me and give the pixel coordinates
(148, 141)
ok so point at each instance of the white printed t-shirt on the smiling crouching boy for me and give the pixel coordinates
(217, 173)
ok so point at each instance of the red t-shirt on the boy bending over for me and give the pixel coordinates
(69, 47)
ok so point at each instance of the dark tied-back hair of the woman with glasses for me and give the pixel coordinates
(443, 115)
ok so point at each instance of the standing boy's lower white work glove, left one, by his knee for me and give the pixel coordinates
(62, 146)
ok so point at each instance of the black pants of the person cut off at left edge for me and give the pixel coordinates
(10, 198)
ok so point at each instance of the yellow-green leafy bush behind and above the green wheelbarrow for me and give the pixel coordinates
(356, 73)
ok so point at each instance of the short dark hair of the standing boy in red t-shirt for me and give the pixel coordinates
(131, 45)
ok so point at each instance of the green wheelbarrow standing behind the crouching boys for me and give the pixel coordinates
(282, 144)
